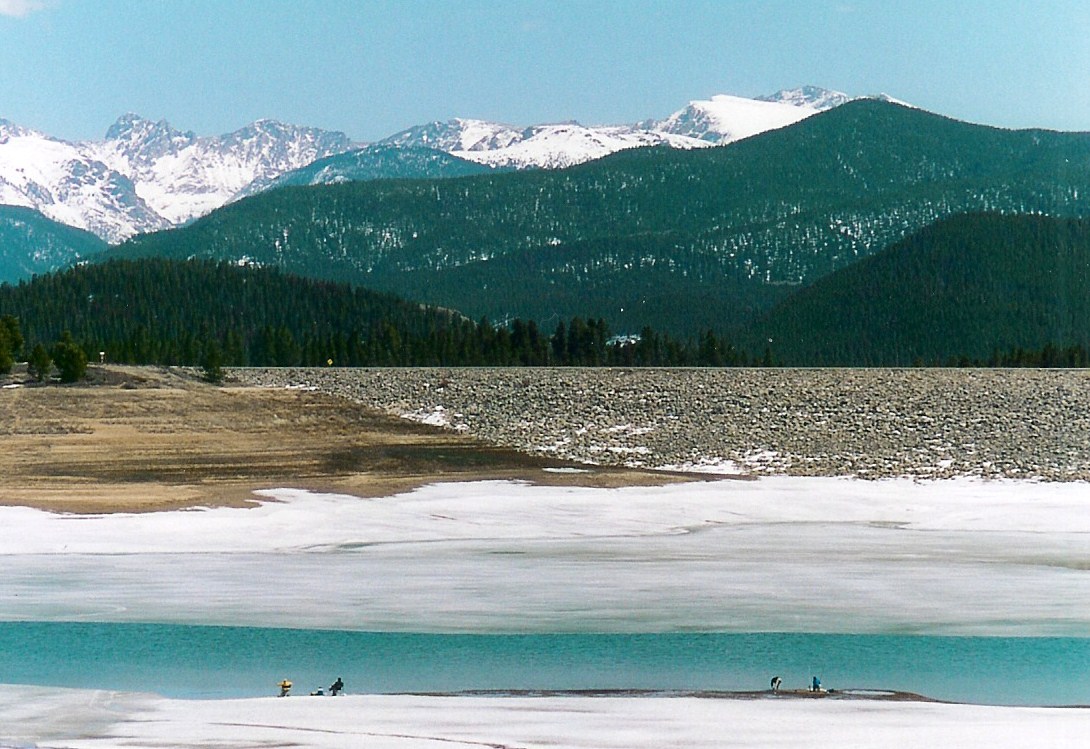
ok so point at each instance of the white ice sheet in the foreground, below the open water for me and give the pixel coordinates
(82, 720)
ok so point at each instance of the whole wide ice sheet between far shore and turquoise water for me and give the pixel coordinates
(770, 555)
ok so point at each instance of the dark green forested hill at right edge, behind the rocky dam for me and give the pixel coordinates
(976, 288)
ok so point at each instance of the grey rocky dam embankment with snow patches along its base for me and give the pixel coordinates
(868, 424)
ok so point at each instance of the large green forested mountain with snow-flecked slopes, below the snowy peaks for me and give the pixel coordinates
(677, 240)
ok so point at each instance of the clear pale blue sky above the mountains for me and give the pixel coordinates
(371, 68)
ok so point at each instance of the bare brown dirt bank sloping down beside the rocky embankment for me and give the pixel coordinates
(141, 439)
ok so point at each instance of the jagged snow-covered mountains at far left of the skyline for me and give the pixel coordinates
(147, 176)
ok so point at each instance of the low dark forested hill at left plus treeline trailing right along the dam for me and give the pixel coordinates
(159, 311)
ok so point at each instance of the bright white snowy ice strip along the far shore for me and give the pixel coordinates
(301, 522)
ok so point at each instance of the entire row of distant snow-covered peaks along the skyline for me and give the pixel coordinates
(147, 176)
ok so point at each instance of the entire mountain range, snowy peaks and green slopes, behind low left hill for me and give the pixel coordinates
(831, 231)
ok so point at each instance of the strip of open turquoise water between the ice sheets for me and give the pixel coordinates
(216, 662)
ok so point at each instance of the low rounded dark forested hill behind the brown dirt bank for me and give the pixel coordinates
(161, 311)
